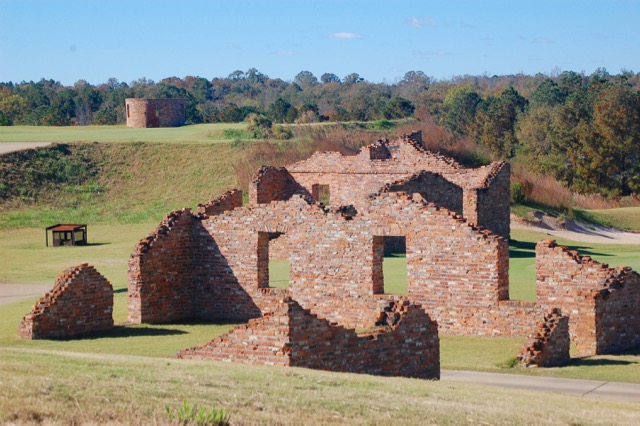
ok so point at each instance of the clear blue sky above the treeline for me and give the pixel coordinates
(69, 40)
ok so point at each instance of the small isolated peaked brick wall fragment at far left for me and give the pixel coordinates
(80, 302)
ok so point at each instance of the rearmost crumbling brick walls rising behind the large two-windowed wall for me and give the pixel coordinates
(352, 179)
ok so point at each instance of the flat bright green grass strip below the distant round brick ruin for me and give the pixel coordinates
(197, 133)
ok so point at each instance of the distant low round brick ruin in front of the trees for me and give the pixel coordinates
(142, 112)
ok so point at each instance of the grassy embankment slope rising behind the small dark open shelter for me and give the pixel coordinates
(133, 183)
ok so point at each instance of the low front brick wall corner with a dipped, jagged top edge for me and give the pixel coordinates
(292, 336)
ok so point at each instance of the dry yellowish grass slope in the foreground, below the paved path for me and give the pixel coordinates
(73, 389)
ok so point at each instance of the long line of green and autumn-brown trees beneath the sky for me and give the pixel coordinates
(584, 130)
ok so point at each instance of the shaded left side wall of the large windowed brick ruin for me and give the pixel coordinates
(178, 273)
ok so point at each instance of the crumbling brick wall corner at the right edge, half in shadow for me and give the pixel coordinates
(601, 302)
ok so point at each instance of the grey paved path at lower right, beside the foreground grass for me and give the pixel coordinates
(588, 388)
